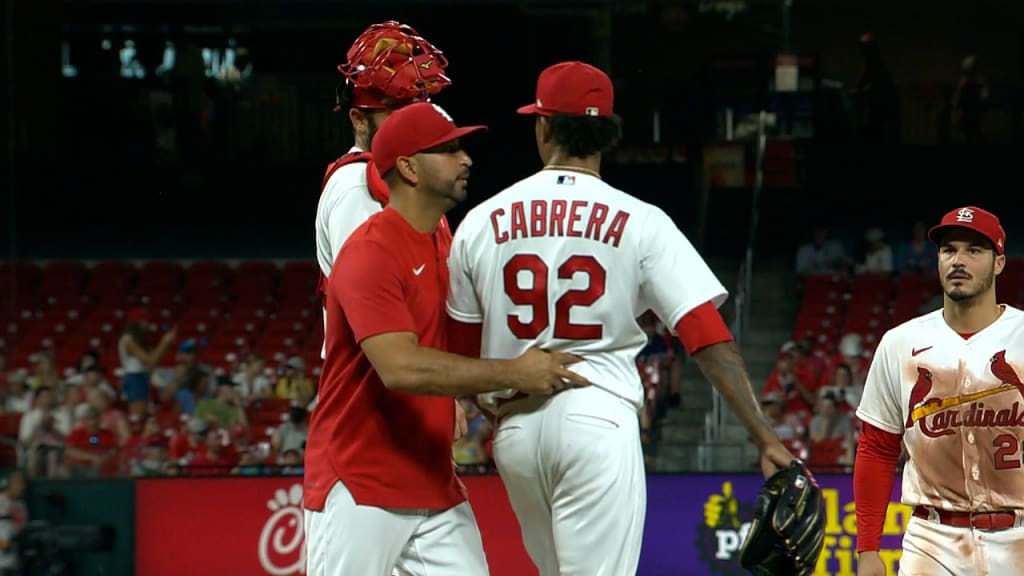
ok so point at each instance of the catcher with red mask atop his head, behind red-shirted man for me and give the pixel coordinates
(390, 66)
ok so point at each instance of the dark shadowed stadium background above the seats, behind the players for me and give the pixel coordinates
(90, 178)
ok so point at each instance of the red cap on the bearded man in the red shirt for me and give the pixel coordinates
(412, 130)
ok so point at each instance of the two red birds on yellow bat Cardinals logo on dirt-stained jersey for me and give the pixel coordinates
(976, 415)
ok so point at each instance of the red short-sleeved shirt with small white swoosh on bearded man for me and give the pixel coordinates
(391, 449)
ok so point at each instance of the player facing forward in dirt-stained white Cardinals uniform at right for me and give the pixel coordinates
(947, 387)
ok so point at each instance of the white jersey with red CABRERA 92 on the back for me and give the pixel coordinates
(565, 262)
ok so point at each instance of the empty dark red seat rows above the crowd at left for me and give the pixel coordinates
(69, 308)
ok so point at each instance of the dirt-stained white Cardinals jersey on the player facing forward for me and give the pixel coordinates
(959, 404)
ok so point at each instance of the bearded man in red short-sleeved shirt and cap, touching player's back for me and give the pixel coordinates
(380, 489)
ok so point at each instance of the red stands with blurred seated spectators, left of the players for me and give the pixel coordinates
(174, 368)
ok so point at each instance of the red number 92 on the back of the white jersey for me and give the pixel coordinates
(536, 297)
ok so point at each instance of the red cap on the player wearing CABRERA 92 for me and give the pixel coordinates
(573, 88)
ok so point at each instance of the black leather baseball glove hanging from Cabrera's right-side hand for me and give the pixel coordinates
(788, 531)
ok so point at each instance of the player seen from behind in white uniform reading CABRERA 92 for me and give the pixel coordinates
(565, 262)
